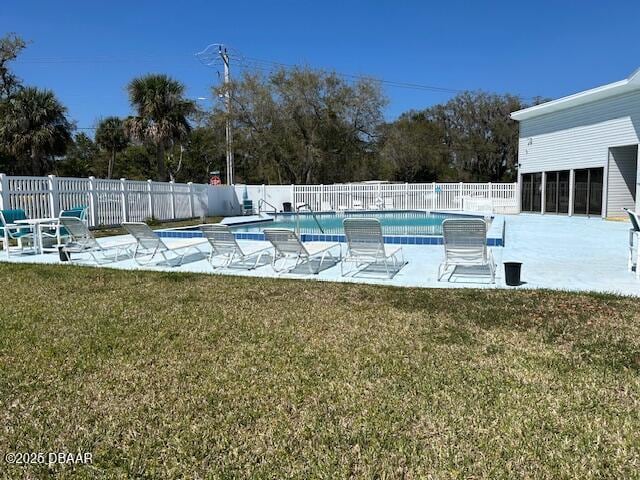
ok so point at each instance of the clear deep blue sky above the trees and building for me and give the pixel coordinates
(87, 51)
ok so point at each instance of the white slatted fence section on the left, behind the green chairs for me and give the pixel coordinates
(110, 202)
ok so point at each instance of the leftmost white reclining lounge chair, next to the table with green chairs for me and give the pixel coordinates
(81, 240)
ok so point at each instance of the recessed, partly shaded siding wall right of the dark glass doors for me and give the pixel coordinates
(621, 188)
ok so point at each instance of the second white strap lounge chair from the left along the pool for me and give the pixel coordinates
(149, 245)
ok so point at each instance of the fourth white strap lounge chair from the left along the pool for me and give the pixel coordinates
(288, 245)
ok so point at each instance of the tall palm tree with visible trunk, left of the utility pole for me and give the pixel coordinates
(162, 113)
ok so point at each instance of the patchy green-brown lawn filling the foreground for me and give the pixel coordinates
(164, 375)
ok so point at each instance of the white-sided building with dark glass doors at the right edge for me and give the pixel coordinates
(578, 155)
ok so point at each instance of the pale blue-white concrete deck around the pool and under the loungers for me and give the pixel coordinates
(557, 252)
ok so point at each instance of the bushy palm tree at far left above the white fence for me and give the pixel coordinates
(34, 128)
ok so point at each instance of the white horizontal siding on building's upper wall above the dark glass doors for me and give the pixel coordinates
(579, 137)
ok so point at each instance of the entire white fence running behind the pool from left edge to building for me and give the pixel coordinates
(112, 202)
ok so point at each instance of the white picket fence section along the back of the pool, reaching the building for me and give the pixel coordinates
(482, 197)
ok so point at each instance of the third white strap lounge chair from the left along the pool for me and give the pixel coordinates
(223, 244)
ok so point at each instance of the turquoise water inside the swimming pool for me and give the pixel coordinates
(393, 223)
